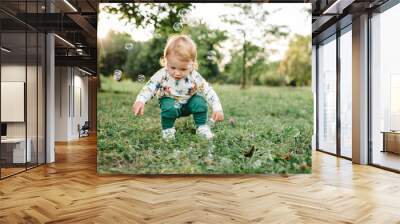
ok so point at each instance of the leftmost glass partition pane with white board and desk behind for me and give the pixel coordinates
(14, 152)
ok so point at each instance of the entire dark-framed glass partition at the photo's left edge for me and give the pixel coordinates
(22, 88)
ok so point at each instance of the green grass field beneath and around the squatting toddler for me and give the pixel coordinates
(266, 130)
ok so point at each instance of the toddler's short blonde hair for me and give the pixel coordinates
(183, 47)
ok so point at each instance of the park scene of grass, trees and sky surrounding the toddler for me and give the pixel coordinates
(258, 63)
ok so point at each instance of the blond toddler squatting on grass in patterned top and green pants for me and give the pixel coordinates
(181, 90)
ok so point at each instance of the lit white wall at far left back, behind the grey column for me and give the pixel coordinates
(70, 83)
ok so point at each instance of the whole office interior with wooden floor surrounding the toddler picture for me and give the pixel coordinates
(48, 150)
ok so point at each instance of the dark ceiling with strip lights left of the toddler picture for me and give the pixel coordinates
(74, 22)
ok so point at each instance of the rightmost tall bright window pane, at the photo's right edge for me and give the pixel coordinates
(385, 89)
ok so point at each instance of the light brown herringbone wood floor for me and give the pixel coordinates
(70, 191)
